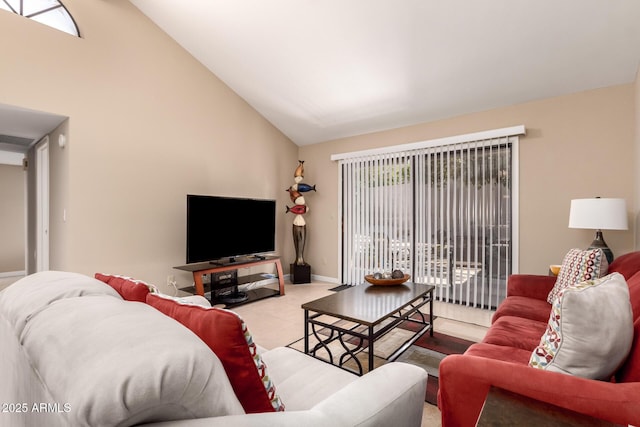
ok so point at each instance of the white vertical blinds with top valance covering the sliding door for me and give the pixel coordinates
(442, 211)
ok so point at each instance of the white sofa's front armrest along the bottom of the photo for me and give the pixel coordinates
(392, 394)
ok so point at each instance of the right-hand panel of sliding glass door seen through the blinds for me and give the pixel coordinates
(463, 222)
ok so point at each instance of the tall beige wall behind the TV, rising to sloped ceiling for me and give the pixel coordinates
(147, 125)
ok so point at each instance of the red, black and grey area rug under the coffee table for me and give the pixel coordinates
(426, 352)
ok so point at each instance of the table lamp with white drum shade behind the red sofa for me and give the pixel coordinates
(599, 214)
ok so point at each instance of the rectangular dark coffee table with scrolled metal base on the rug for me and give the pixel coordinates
(373, 311)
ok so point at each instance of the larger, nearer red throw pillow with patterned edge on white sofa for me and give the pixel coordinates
(227, 336)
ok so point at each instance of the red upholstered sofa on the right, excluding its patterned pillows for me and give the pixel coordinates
(501, 360)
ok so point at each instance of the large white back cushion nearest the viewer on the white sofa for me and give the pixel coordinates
(127, 364)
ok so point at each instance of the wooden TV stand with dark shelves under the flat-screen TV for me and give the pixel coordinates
(200, 269)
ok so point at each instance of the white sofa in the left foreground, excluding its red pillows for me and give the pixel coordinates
(74, 353)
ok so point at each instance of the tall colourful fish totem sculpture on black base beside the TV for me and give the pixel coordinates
(300, 270)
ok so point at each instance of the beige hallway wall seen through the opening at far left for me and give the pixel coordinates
(12, 226)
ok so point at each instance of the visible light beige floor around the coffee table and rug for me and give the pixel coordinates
(279, 321)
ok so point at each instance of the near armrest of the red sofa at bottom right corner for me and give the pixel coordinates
(465, 382)
